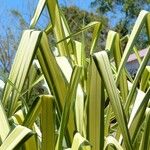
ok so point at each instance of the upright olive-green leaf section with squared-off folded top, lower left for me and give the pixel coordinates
(48, 122)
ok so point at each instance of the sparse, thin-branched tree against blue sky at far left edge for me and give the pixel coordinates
(12, 22)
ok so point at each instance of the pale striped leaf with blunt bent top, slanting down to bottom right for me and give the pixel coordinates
(103, 66)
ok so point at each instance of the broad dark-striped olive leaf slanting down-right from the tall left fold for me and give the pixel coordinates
(52, 73)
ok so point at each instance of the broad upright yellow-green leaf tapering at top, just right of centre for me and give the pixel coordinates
(96, 108)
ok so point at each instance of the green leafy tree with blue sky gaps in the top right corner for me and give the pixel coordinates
(122, 14)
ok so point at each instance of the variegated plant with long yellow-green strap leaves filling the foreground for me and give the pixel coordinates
(92, 102)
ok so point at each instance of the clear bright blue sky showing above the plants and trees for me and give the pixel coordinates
(26, 10)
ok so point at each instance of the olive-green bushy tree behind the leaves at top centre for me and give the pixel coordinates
(78, 18)
